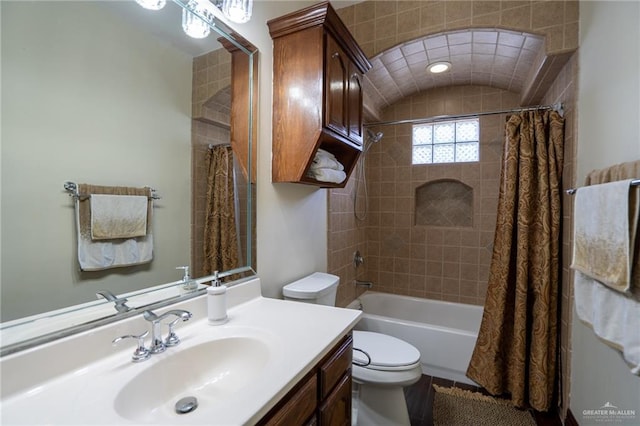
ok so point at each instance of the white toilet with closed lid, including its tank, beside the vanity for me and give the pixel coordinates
(382, 364)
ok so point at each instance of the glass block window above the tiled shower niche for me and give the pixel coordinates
(446, 142)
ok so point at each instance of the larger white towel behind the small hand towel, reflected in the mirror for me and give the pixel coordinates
(106, 254)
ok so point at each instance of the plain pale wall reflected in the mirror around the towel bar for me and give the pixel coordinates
(90, 123)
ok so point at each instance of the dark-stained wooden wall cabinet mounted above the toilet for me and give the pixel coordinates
(317, 95)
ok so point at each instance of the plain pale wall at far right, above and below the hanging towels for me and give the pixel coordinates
(608, 133)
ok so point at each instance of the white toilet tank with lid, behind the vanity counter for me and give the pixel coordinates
(318, 288)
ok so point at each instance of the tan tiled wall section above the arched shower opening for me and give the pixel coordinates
(379, 25)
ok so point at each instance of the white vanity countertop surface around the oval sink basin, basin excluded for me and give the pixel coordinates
(57, 384)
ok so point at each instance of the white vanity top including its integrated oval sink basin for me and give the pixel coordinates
(237, 371)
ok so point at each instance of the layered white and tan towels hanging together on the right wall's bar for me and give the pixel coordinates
(606, 264)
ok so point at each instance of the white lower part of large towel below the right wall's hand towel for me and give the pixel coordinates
(614, 317)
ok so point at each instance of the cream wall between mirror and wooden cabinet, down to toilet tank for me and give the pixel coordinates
(292, 218)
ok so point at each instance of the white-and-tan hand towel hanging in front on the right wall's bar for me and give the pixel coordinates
(606, 221)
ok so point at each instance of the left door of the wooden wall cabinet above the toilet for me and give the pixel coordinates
(336, 81)
